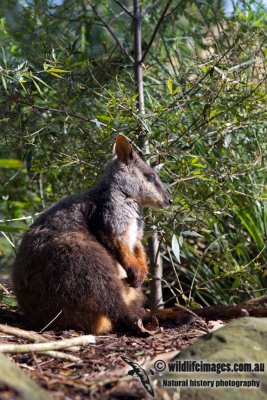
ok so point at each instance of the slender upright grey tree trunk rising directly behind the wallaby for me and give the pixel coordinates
(156, 299)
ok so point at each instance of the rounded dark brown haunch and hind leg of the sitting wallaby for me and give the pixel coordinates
(74, 278)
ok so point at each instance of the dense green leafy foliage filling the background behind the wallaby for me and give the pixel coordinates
(67, 89)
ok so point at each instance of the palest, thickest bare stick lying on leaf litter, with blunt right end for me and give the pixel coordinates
(43, 347)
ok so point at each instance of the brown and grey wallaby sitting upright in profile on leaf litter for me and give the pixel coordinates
(82, 261)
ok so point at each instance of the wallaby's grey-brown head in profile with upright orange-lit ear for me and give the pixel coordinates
(135, 178)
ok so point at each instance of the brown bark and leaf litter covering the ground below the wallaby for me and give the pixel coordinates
(101, 373)
